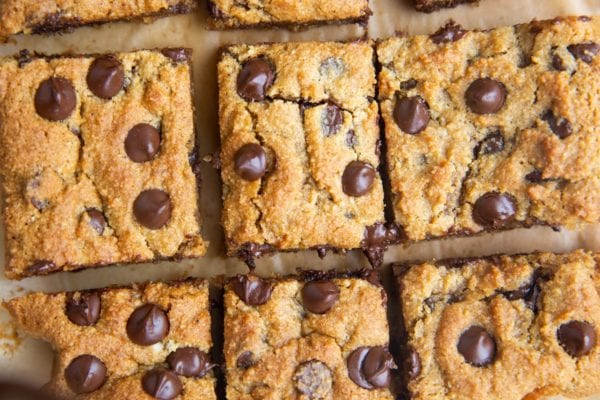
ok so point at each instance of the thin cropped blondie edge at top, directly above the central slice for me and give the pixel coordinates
(293, 14)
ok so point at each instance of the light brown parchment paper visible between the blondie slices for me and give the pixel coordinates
(31, 360)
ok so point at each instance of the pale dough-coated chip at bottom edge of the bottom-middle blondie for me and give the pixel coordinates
(314, 379)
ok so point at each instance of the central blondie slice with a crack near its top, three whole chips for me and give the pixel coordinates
(300, 148)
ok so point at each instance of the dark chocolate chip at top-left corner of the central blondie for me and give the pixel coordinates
(255, 79)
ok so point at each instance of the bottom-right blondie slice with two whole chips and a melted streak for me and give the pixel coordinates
(503, 327)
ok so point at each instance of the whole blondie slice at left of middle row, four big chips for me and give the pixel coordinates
(97, 160)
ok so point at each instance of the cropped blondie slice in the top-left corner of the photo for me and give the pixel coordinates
(46, 16)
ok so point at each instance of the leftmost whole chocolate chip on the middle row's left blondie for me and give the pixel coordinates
(55, 99)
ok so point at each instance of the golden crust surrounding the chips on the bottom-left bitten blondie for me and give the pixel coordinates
(187, 305)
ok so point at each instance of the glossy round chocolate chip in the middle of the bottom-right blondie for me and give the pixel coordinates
(477, 346)
